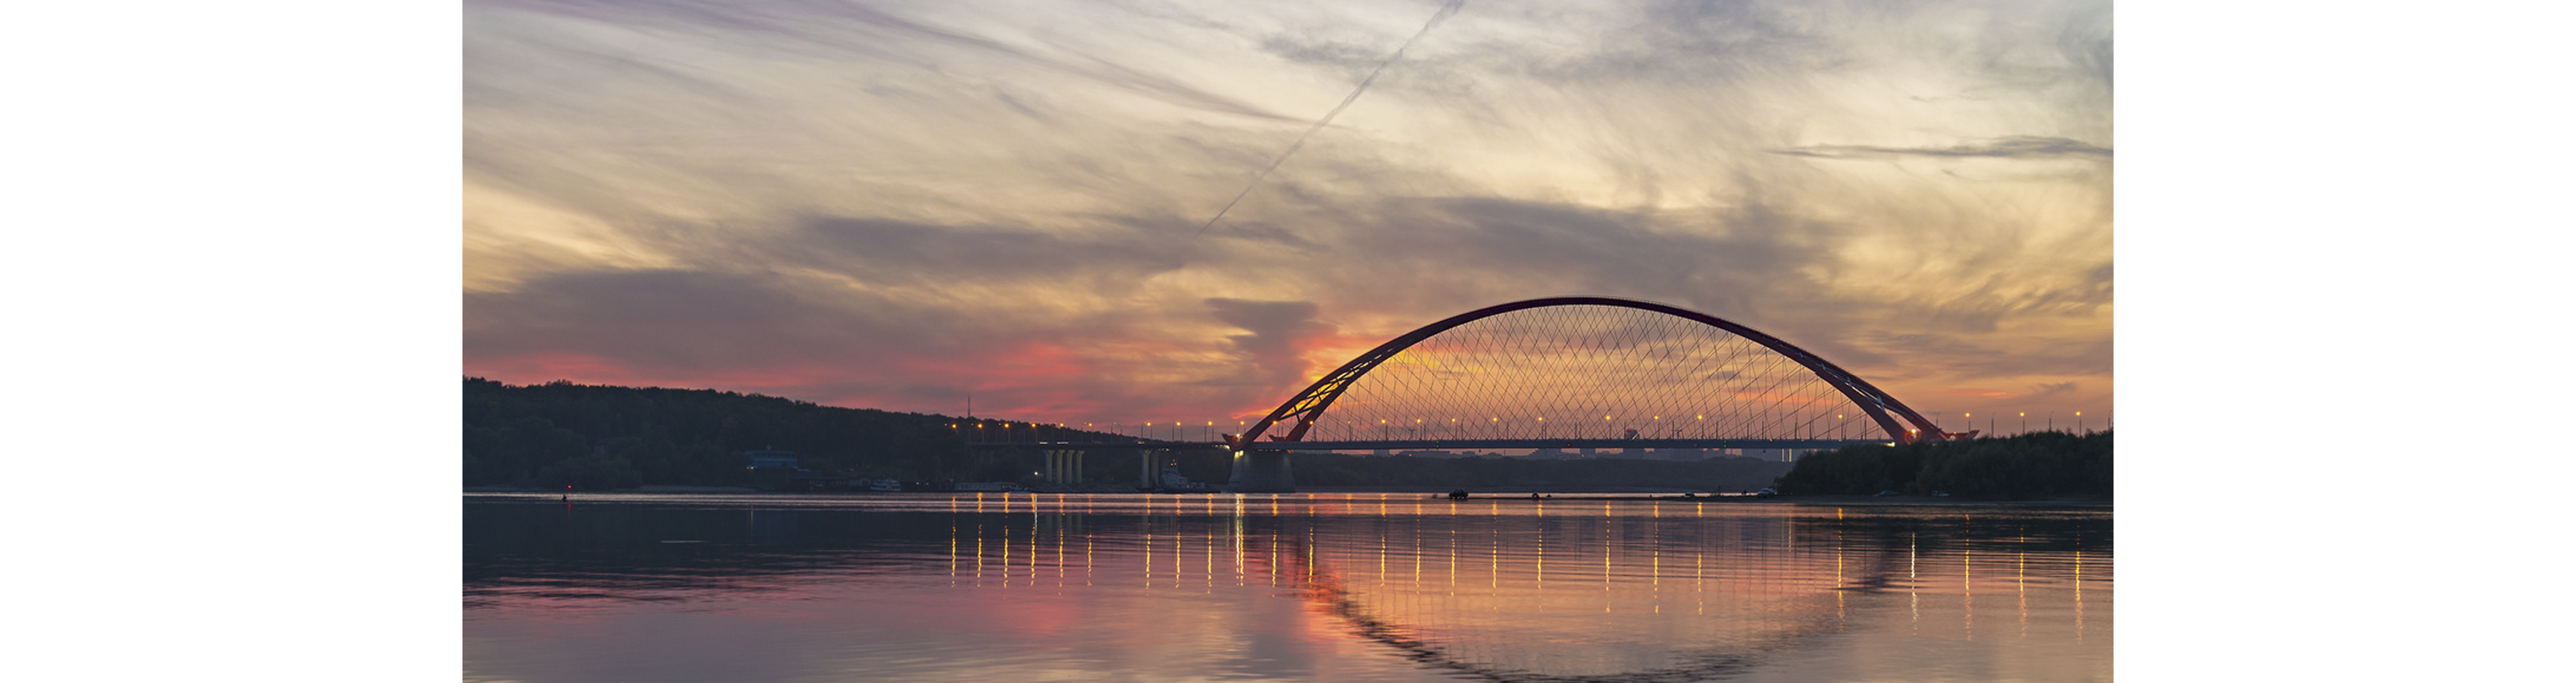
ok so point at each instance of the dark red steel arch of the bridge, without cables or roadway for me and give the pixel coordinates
(1307, 406)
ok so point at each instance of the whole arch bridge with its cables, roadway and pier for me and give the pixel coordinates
(1567, 372)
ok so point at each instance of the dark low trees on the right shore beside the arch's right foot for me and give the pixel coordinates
(2016, 468)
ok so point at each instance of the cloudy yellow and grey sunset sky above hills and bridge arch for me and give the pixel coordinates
(900, 205)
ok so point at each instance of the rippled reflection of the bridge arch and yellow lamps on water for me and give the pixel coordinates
(1547, 589)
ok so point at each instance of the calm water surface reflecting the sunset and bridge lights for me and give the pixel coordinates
(1279, 589)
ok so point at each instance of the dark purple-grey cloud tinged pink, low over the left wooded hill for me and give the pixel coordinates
(808, 339)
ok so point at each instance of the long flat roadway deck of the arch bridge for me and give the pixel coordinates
(1446, 445)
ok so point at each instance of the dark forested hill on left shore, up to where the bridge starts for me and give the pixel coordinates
(622, 437)
